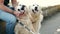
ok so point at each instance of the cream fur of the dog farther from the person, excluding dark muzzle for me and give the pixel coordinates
(36, 18)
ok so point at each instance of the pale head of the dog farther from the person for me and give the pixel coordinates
(35, 9)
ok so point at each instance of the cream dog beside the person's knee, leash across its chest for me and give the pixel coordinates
(24, 26)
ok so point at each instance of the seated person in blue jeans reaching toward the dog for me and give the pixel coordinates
(8, 15)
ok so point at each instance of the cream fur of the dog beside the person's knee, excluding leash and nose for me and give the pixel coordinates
(24, 18)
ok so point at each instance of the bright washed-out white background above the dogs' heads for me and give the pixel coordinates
(43, 3)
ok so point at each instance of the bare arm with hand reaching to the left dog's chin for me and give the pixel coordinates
(6, 9)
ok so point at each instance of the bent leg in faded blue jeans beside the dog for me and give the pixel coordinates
(10, 21)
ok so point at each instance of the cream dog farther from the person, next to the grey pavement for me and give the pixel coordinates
(36, 16)
